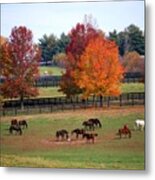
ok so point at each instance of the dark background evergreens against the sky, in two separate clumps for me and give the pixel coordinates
(129, 40)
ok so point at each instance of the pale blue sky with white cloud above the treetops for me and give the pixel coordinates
(55, 18)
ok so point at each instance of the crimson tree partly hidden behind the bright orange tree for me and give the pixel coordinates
(79, 38)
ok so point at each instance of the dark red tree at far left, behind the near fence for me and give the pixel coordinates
(19, 63)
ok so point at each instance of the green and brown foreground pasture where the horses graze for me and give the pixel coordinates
(37, 146)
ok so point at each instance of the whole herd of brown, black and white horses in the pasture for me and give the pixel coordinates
(87, 132)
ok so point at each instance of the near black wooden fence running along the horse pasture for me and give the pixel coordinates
(43, 105)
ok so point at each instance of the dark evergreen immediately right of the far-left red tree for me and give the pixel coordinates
(48, 45)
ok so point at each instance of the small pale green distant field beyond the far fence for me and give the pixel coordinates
(51, 70)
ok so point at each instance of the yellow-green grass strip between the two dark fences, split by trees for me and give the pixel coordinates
(126, 87)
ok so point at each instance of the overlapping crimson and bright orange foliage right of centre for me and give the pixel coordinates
(93, 66)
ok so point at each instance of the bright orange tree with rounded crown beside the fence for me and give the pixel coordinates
(99, 70)
